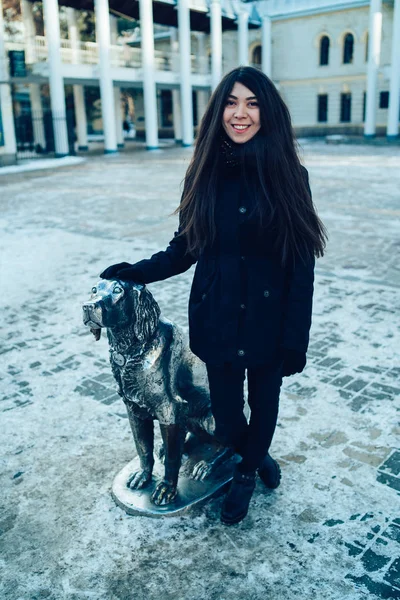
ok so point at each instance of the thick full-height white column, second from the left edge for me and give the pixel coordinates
(56, 81)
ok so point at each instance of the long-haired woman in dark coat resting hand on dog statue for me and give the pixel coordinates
(247, 219)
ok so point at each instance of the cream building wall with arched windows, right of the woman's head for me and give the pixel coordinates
(320, 64)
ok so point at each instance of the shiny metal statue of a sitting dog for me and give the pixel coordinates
(158, 378)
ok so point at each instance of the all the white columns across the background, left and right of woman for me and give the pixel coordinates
(106, 34)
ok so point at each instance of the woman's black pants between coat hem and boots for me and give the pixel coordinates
(251, 440)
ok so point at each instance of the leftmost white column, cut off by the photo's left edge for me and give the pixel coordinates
(8, 147)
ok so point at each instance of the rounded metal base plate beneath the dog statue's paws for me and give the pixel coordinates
(190, 492)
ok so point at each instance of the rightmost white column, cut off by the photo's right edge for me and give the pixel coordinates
(394, 94)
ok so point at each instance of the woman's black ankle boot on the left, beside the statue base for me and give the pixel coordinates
(237, 500)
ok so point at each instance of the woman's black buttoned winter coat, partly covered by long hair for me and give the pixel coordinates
(244, 307)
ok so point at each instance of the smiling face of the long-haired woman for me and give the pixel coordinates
(241, 117)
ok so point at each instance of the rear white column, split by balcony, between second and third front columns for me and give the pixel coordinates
(78, 90)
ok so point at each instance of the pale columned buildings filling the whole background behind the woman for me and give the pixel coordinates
(335, 62)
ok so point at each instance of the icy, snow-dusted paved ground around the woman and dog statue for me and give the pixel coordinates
(332, 529)
